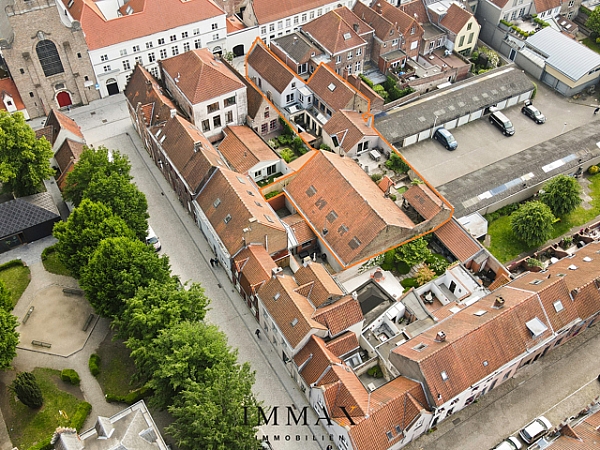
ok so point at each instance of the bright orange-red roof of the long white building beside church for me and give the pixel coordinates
(150, 17)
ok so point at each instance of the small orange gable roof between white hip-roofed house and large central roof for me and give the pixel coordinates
(243, 149)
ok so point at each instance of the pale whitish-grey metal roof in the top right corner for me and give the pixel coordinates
(564, 54)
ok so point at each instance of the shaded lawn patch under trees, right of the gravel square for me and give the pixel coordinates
(116, 367)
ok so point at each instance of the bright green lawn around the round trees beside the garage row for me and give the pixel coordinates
(505, 246)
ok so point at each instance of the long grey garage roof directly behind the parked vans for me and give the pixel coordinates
(461, 98)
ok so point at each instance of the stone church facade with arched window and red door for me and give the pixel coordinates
(46, 56)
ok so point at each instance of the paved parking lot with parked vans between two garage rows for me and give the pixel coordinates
(480, 143)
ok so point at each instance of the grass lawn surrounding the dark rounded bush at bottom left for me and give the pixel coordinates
(29, 426)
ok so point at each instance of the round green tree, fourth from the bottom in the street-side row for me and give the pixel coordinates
(116, 269)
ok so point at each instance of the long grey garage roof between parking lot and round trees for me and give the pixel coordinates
(532, 166)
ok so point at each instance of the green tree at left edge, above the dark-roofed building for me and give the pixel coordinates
(24, 160)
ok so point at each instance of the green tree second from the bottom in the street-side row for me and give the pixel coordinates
(180, 355)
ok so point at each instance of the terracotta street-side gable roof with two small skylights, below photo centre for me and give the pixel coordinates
(291, 311)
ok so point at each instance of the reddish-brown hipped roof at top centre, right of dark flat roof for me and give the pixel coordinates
(333, 33)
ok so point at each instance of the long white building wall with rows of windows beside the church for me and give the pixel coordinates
(116, 62)
